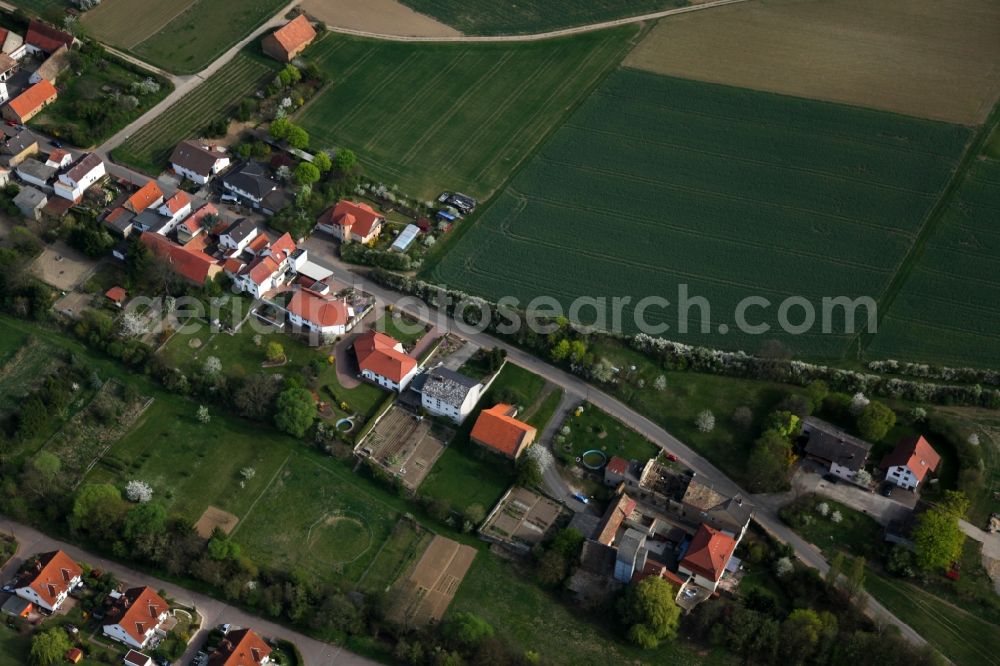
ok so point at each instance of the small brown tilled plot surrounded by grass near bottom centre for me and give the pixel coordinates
(424, 595)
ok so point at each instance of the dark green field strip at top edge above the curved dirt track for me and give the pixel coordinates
(480, 17)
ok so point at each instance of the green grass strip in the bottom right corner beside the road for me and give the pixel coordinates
(961, 636)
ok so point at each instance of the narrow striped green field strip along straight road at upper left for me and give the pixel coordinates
(149, 148)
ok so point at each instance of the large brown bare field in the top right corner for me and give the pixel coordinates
(929, 58)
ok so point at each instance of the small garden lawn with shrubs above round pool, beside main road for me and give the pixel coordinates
(594, 429)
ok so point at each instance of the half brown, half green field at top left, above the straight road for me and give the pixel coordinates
(171, 34)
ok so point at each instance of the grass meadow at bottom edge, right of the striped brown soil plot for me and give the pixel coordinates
(530, 618)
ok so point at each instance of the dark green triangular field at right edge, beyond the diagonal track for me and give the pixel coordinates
(949, 307)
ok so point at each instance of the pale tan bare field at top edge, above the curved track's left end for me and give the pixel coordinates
(383, 17)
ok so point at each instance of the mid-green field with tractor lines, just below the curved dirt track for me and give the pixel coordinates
(431, 117)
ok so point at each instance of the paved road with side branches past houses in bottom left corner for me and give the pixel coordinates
(214, 612)
